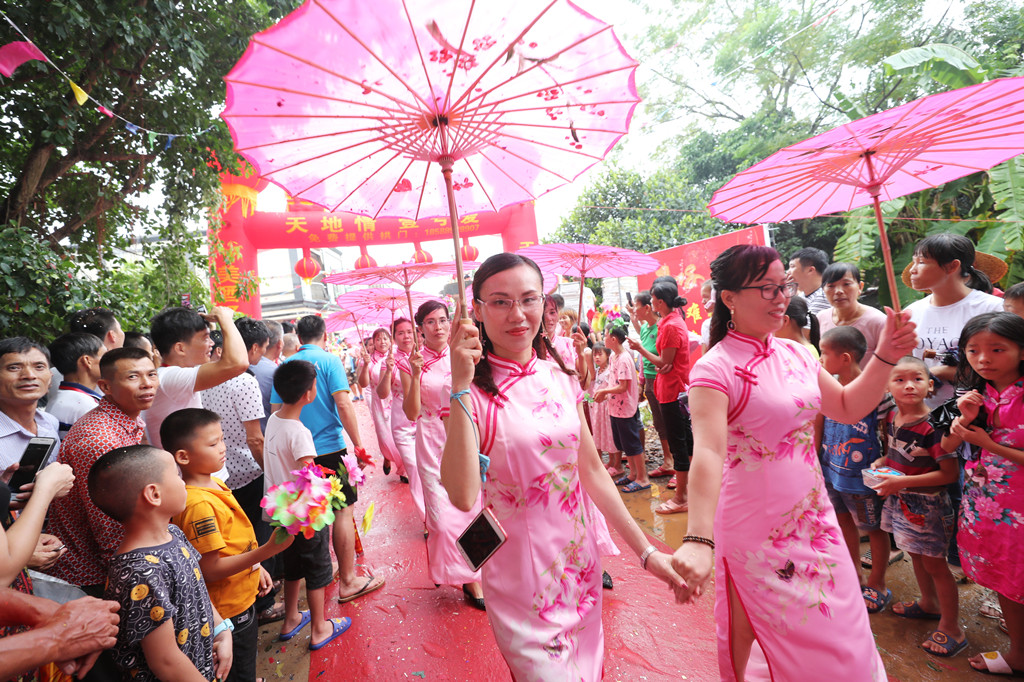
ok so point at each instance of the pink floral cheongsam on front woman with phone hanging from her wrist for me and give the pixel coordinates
(544, 585)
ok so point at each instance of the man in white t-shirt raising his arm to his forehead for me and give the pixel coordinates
(183, 338)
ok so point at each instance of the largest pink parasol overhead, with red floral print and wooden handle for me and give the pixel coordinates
(357, 104)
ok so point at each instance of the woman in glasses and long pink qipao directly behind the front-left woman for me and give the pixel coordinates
(426, 385)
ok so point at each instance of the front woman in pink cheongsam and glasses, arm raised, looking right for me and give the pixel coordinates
(787, 593)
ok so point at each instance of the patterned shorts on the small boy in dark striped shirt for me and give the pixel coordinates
(922, 523)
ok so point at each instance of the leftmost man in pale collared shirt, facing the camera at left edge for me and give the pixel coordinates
(25, 378)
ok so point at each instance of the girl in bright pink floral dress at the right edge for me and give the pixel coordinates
(992, 521)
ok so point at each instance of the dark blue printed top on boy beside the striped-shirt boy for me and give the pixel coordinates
(849, 449)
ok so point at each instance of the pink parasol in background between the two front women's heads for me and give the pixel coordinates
(589, 261)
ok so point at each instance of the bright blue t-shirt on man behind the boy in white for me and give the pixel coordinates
(321, 416)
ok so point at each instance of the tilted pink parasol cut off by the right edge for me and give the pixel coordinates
(915, 147)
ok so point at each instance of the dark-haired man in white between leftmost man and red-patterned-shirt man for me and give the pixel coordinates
(76, 357)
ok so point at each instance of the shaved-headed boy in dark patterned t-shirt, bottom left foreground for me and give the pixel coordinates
(169, 629)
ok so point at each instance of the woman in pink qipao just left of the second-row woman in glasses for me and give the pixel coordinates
(403, 430)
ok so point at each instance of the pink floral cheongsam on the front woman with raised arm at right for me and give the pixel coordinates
(778, 541)
